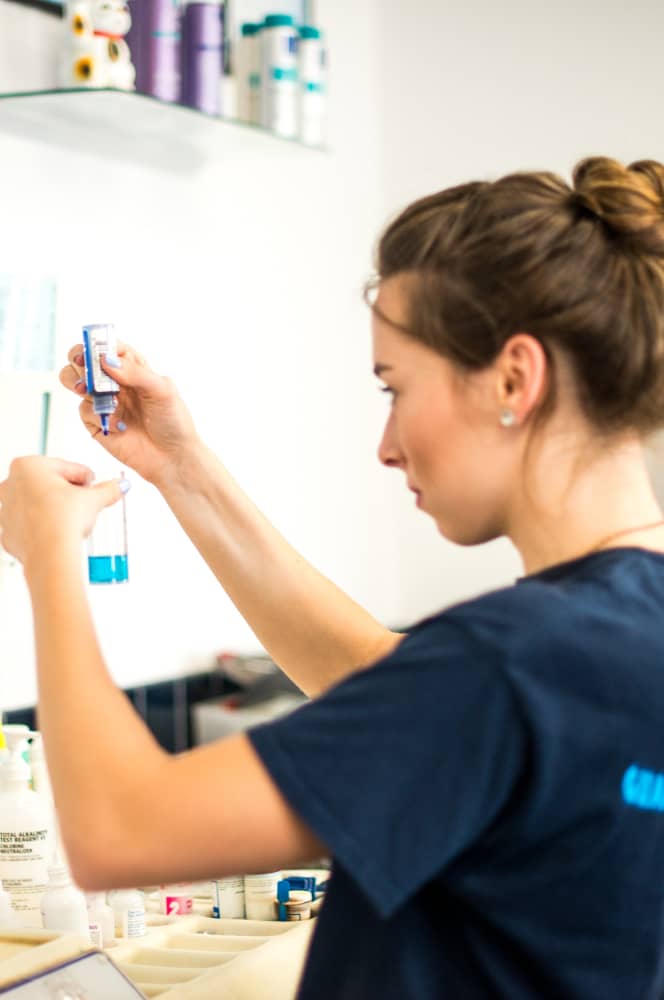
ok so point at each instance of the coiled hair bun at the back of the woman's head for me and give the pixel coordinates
(628, 200)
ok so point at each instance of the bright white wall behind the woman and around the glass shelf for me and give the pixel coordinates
(237, 268)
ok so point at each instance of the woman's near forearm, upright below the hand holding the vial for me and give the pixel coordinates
(80, 708)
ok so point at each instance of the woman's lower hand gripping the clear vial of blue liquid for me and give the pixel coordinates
(47, 503)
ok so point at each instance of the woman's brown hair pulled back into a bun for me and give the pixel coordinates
(579, 267)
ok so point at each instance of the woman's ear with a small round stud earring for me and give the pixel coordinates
(522, 370)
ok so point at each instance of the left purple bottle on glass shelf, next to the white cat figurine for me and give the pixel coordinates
(155, 45)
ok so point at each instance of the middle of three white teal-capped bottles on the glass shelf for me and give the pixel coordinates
(279, 39)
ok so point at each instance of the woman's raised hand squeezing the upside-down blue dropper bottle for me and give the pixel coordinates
(151, 427)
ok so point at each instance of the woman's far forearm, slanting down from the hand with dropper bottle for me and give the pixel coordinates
(314, 631)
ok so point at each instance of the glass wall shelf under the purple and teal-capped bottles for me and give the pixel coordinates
(132, 127)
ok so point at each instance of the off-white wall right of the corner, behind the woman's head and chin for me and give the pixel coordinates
(476, 89)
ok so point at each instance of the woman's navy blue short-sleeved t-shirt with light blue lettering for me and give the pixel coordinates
(492, 794)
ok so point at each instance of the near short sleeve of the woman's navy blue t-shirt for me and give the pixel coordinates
(403, 765)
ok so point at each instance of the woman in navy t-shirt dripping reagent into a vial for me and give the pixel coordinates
(491, 786)
